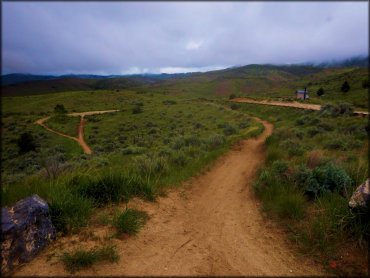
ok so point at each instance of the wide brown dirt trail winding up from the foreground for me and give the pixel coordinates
(210, 226)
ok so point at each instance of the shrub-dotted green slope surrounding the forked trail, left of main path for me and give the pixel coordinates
(119, 137)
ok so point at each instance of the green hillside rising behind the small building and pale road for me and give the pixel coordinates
(263, 82)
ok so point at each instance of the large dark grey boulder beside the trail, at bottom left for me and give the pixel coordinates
(26, 229)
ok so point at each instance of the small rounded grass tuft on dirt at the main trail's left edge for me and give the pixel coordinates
(129, 221)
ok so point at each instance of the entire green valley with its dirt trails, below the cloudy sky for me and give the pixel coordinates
(228, 186)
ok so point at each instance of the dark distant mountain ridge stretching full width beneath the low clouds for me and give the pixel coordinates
(245, 79)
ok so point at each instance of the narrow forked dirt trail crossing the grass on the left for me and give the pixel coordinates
(80, 138)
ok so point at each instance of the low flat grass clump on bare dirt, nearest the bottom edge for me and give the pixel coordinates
(81, 258)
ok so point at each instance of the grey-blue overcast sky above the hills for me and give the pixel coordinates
(156, 37)
